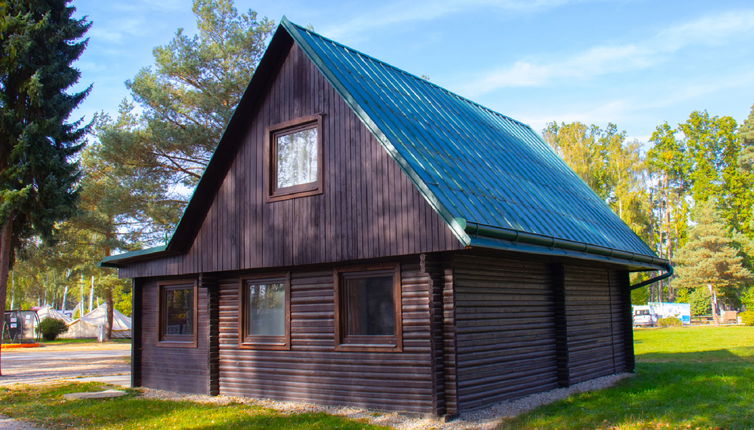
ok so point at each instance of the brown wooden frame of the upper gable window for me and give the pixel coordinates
(273, 193)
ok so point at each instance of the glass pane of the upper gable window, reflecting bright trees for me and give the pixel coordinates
(297, 158)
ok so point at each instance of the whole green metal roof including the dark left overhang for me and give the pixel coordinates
(493, 179)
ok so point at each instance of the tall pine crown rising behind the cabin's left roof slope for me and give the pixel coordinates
(164, 136)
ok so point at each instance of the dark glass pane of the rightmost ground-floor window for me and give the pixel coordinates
(369, 306)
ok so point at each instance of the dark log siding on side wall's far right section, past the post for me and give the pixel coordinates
(595, 315)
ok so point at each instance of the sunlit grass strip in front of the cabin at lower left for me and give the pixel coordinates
(45, 406)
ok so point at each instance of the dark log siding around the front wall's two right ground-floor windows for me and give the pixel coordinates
(312, 371)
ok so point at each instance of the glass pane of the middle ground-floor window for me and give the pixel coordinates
(265, 307)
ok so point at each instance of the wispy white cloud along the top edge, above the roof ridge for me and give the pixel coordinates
(427, 10)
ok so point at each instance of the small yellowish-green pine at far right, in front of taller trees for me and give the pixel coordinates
(710, 260)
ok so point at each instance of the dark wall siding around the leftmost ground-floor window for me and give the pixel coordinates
(169, 368)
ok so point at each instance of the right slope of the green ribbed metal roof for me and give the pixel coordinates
(474, 165)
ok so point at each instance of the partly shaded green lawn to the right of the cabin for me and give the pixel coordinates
(700, 377)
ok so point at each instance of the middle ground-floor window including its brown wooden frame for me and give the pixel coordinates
(265, 313)
